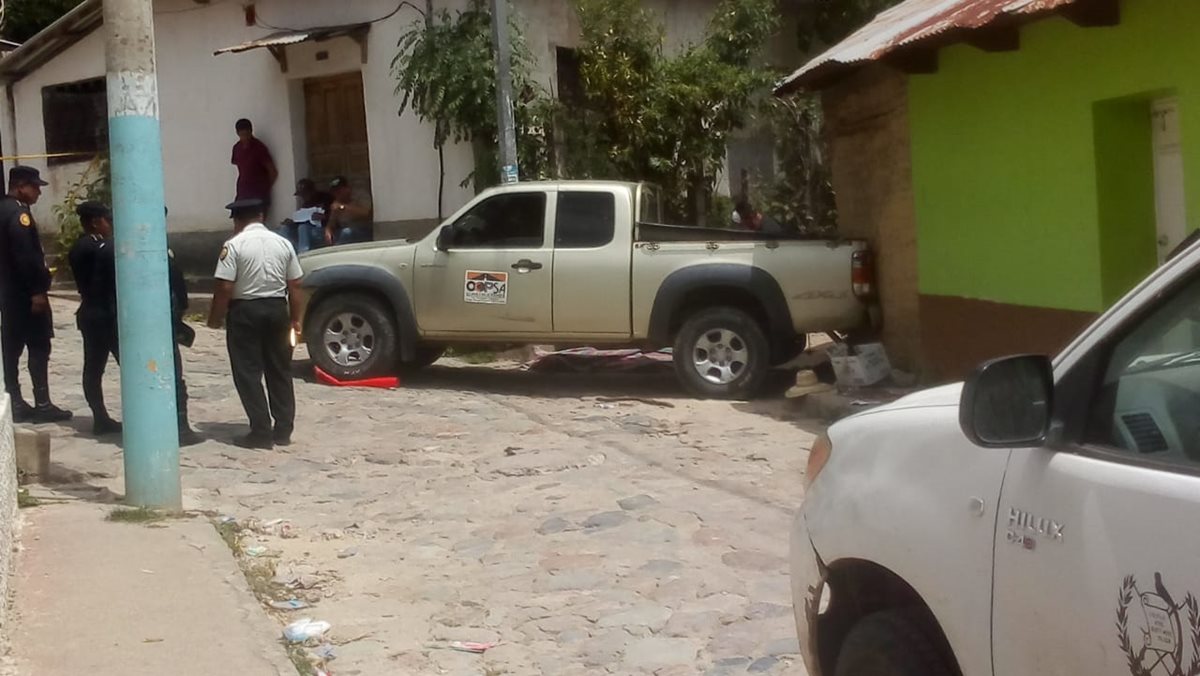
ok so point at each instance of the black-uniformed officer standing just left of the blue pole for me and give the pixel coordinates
(93, 264)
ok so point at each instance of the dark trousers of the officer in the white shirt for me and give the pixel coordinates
(257, 337)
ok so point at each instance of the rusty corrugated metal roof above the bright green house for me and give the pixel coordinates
(911, 23)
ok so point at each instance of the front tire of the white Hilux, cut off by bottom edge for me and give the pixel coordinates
(892, 643)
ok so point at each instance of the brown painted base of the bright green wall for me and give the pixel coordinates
(961, 333)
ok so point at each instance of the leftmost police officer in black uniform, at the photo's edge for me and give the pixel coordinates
(26, 321)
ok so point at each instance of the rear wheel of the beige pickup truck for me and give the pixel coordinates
(747, 370)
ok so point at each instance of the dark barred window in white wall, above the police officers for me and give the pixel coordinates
(76, 121)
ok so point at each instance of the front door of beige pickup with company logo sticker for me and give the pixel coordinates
(496, 276)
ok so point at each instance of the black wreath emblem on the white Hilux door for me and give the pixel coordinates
(1154, 631)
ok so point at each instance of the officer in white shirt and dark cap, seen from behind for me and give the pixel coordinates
(259, 284)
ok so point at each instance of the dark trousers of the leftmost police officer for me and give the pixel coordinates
(22, 330)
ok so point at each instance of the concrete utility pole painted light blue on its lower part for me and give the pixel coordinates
(148, 372)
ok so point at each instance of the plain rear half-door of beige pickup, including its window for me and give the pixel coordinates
(593, 248)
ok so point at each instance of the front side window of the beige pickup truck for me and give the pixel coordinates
(515, 220)
